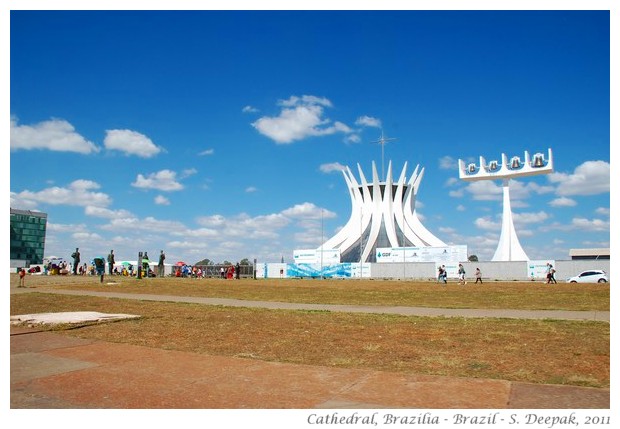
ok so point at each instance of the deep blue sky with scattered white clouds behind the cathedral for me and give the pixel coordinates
(214, 134)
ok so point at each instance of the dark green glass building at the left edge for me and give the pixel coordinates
(28, 236)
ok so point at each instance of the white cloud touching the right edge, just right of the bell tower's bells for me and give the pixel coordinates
(589, 178)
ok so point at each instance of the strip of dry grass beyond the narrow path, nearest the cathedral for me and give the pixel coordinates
(492, 295)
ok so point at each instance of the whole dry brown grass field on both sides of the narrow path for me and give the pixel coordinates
(538, 351)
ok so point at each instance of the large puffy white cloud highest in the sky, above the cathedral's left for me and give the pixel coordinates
(300, 118)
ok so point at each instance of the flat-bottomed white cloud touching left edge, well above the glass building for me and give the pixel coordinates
(55, 134)
